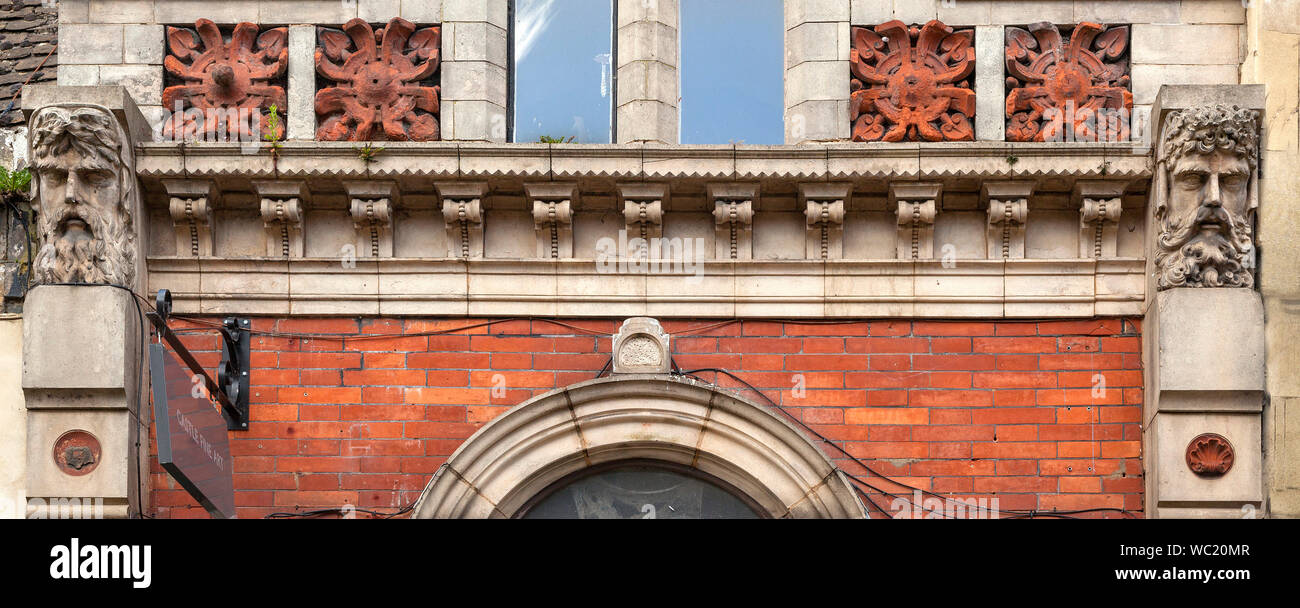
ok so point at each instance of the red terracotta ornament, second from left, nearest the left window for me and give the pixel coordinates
(382, 90)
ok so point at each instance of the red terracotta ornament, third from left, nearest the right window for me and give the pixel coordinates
(911, 84)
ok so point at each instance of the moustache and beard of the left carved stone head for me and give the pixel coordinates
(79, 251)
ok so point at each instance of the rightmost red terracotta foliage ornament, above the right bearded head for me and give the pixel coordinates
(1076, 90)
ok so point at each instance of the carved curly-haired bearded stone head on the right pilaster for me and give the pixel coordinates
(1207, 197)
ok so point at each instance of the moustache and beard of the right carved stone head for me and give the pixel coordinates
(1208, 247)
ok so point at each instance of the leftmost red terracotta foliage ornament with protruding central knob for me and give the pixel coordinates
(226, 85)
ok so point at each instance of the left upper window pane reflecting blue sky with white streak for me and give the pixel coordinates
(564, 85)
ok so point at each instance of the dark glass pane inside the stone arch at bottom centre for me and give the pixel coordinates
(640, 493)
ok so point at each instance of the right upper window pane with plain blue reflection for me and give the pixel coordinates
(733, 62)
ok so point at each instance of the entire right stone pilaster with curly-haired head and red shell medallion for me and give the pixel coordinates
(1203, 337)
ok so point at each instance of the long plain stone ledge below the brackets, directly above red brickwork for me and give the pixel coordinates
(976, 289)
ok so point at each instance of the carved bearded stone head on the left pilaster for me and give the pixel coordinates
(85, 196)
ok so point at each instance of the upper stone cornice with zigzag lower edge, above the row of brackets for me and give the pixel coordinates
(831, 162)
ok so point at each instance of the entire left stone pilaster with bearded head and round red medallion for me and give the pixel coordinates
(84, 345)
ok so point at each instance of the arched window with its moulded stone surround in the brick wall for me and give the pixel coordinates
(613, 446)
